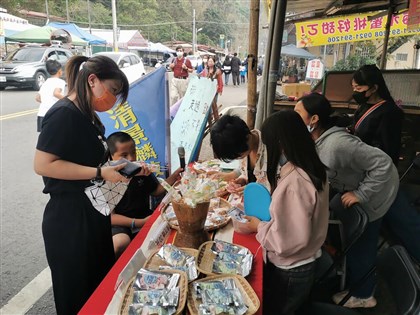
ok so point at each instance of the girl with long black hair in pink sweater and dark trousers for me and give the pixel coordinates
(292, 239)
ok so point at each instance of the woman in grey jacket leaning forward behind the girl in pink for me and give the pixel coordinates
(363, 175)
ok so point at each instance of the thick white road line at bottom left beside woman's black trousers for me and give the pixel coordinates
(29, 295)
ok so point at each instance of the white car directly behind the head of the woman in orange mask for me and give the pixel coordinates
(129, 63)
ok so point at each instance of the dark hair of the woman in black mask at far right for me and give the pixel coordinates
(370, 75)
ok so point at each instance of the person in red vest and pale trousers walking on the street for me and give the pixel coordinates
(181, 66)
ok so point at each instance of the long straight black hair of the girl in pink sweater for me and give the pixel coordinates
(285, 132)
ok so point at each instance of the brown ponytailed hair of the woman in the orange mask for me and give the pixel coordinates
(78, 70)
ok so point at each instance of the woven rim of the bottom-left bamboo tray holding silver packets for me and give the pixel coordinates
(183, 293)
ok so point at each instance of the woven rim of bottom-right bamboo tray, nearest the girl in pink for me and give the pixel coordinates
(248, 293)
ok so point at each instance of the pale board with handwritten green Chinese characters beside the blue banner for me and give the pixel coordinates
(188, 125)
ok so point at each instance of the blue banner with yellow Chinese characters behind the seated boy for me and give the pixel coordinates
(144, 118)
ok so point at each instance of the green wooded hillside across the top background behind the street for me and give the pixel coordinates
(157, 20)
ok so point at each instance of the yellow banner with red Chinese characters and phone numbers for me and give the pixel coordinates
(351, 28)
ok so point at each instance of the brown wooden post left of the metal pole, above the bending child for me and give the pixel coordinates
(253, 62)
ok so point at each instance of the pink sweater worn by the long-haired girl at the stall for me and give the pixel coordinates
(299, 219)
